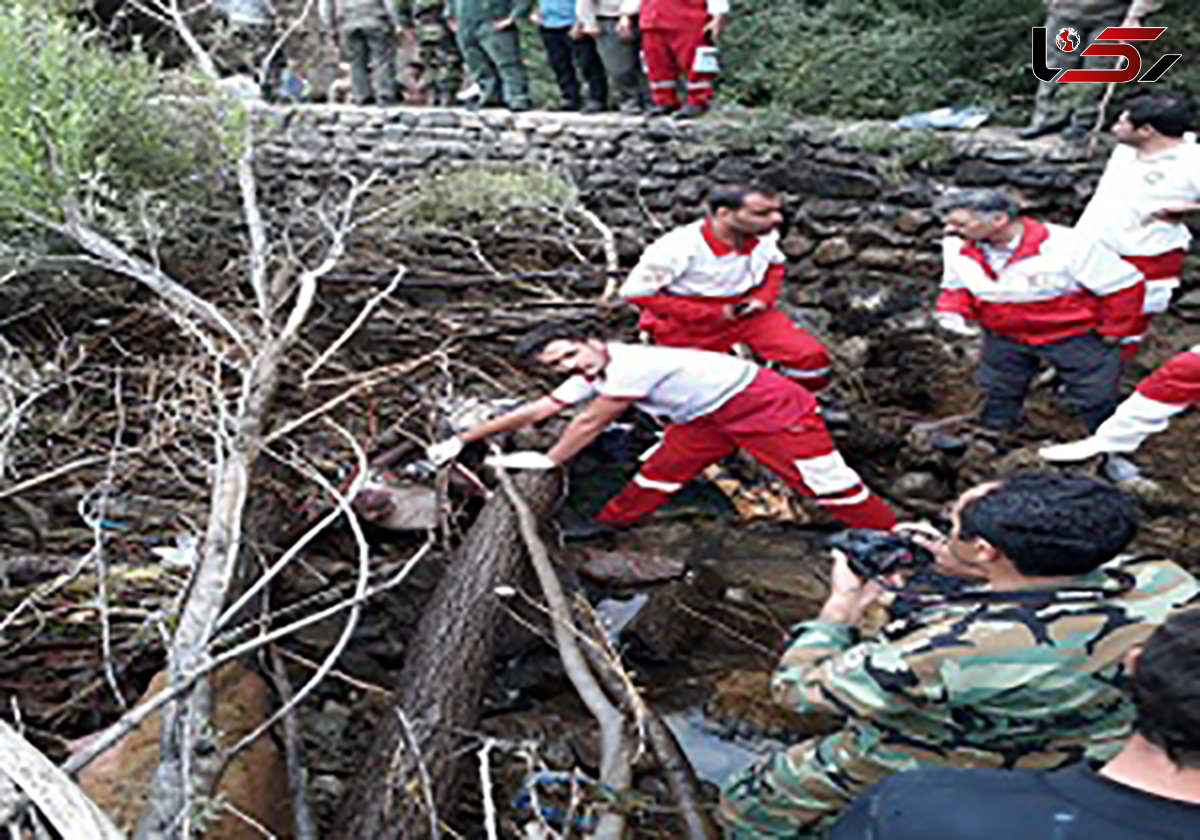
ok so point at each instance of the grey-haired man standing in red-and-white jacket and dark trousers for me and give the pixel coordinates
(1041, 295)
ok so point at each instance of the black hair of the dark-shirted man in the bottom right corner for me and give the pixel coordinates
(1167, 689)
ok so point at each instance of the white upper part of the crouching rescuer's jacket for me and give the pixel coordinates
(686, 263)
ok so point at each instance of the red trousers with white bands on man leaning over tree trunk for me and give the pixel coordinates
(776, 422)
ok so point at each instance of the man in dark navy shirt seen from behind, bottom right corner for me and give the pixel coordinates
(1150, 790)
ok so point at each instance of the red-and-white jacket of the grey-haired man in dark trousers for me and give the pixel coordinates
(1055, 285)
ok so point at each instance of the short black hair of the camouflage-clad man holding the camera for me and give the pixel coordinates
(1053, 524)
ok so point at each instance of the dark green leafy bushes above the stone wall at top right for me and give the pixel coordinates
(886, 58)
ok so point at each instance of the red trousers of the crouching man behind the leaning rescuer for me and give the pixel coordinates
(770, 335)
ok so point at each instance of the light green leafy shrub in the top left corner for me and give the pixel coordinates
(80, 118)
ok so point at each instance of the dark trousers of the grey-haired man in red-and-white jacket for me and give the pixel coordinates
(1089, 369)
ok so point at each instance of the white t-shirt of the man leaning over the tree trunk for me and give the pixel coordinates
(669, 382)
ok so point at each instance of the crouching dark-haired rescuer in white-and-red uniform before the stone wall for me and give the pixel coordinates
(713, 284)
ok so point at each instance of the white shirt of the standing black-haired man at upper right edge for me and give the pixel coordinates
(1136, 187)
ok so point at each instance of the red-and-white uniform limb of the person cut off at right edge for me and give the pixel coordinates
(1169, 391)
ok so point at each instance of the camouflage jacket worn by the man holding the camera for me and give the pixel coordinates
(1017, 679)
